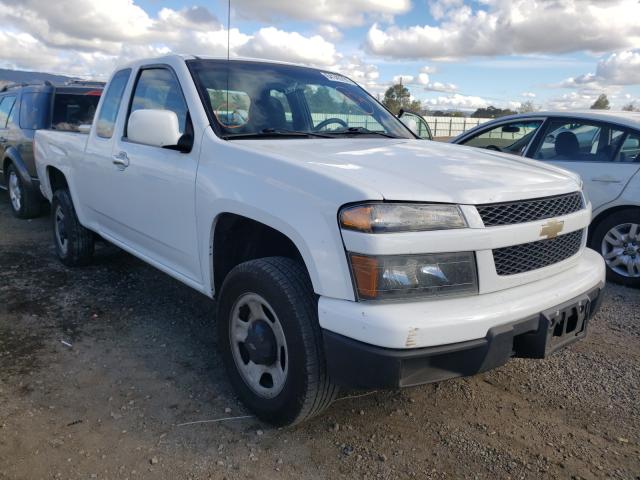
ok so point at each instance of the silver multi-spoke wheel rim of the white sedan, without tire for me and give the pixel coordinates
(621, 249)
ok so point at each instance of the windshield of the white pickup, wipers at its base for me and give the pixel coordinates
(263, 99)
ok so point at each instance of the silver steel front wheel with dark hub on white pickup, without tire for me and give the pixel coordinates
(258, 345)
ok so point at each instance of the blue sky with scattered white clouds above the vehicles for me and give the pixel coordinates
(451, 54)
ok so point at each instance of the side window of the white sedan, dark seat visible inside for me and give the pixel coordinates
(578, 141)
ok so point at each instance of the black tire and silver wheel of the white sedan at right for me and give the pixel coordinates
(617, 239)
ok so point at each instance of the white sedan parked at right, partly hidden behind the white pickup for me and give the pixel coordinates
(604, 148)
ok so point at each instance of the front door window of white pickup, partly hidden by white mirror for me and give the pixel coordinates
(158, 89)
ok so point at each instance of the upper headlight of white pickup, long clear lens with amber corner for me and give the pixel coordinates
(401, 217)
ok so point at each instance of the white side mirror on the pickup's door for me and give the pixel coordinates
(157, 128)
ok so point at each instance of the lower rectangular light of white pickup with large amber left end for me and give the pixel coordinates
(408, 276)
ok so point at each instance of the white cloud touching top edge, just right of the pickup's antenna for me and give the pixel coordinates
(338, 12)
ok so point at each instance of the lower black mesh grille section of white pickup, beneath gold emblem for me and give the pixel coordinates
(534, 255)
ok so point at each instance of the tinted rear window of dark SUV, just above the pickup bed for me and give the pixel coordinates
(70, 110)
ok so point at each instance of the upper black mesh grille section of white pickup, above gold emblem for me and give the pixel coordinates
(530, 210)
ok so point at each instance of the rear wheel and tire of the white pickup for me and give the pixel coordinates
(74, 243)
